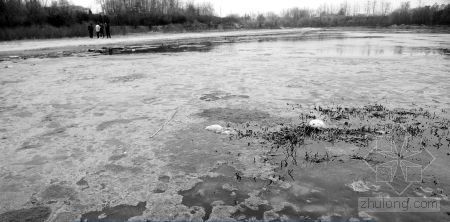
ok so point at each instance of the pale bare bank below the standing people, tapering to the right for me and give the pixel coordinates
(33, 47)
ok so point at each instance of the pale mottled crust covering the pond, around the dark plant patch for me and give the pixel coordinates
(123, 136)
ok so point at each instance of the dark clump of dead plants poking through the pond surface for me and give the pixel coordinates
(358, 126)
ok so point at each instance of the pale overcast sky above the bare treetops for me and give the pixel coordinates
(225, 7)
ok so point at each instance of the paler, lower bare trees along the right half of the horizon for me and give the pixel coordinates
(373, 13)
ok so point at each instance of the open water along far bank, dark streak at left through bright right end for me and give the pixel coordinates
(318, 43)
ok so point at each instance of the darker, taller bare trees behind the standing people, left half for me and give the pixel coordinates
(17, 13)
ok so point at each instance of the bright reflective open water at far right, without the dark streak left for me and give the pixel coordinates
(354, 44)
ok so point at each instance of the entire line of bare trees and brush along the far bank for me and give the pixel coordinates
(50, 19)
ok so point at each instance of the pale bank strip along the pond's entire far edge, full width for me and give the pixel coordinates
(69, 46)
